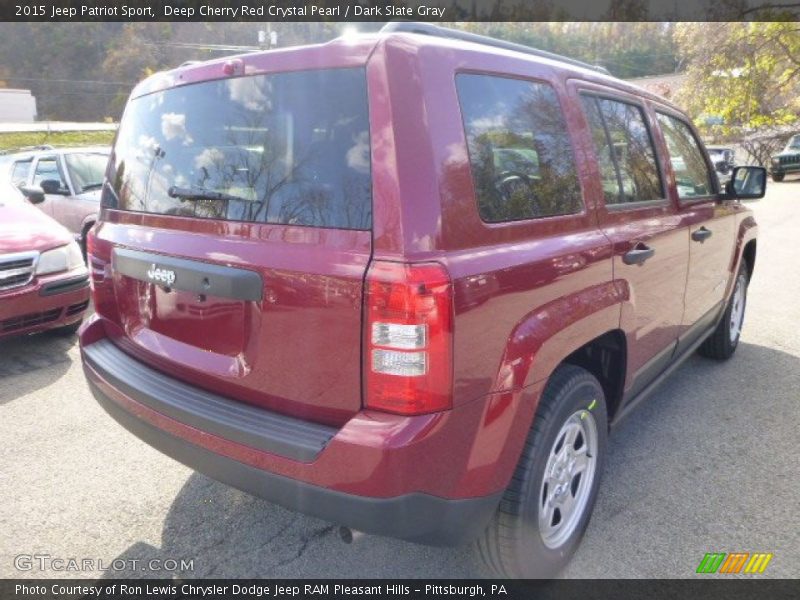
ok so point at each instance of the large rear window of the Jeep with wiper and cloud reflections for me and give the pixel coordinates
(291, 148)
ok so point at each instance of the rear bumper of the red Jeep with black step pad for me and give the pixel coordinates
(199, 432)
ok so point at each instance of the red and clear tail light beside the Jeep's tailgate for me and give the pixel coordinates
(409, 338)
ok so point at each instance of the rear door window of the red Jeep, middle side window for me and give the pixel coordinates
(622, 142)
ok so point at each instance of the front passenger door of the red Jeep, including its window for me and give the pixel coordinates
(711, 225)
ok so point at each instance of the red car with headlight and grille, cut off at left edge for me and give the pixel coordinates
(44, 283)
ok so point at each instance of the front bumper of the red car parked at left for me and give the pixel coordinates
(47, 303)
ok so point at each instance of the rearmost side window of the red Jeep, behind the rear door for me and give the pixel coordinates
(519, 149)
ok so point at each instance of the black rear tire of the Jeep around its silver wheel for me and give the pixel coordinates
(513, 545)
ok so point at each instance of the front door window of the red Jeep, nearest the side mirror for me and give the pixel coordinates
(692, 177)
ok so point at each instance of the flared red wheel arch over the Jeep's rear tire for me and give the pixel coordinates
(581, 329)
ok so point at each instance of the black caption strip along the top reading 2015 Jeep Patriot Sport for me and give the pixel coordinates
(386, 10)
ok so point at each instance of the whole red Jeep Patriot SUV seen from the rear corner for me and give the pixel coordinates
(405, 282)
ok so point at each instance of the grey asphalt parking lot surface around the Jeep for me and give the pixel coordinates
(710, 463)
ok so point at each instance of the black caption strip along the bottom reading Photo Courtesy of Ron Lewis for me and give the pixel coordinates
(707, 588)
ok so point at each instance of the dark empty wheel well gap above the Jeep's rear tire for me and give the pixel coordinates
(605, 357)
